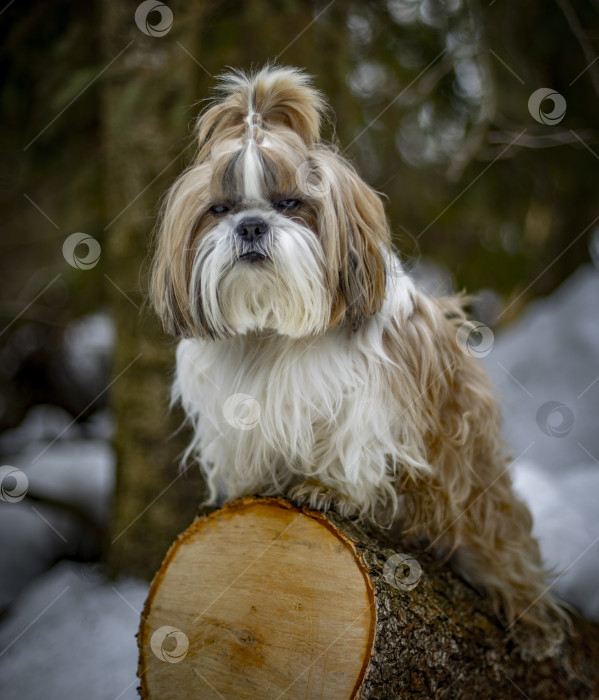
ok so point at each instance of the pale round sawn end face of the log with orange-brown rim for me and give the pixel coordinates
(257, 600)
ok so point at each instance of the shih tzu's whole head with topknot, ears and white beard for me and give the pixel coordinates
(269, 230)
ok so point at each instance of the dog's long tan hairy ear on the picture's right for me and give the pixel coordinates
(354, 234)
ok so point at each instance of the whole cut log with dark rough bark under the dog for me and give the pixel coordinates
(262, 599)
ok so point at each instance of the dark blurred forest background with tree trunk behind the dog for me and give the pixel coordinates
(431, 102)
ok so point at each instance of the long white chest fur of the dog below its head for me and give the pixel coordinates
(271, 411)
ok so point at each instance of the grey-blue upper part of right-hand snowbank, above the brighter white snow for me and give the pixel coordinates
(551, 354)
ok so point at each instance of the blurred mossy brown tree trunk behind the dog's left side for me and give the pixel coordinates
(145, 133)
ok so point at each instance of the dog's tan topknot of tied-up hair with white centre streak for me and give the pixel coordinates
(250, 102)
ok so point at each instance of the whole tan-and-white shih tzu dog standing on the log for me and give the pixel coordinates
(311, 365)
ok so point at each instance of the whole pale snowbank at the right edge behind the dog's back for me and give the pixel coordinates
(546, 367)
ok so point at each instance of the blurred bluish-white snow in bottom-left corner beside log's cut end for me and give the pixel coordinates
(72, 637)
